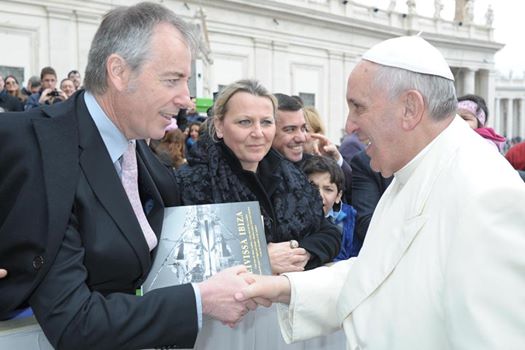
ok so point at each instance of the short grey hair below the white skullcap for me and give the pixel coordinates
(439, 93)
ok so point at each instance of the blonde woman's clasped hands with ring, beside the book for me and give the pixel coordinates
(284, 258)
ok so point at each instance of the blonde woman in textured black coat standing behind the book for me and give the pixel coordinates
(234, 162)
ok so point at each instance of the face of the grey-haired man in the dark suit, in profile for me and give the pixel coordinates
(159, 90)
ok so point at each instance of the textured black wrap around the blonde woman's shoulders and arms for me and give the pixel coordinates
(291, 206)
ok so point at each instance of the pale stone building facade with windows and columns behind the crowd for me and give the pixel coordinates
(302, 47)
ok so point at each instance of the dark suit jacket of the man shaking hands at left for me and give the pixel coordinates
(71, 242)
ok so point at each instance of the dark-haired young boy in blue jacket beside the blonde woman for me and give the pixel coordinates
(325, 174)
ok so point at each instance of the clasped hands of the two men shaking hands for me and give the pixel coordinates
(230, 294)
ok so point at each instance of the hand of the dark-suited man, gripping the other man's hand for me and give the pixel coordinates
(217, 295)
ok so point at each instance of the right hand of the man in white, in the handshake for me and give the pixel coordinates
(266, 290)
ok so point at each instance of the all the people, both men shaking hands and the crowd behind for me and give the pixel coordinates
(411, 237)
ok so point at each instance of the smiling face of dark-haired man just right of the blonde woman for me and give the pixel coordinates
(290, 135)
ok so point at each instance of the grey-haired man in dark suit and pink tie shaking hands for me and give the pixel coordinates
(71, 242)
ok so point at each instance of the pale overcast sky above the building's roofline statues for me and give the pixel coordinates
(509, 26)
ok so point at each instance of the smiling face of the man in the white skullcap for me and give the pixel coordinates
(376, 119)
